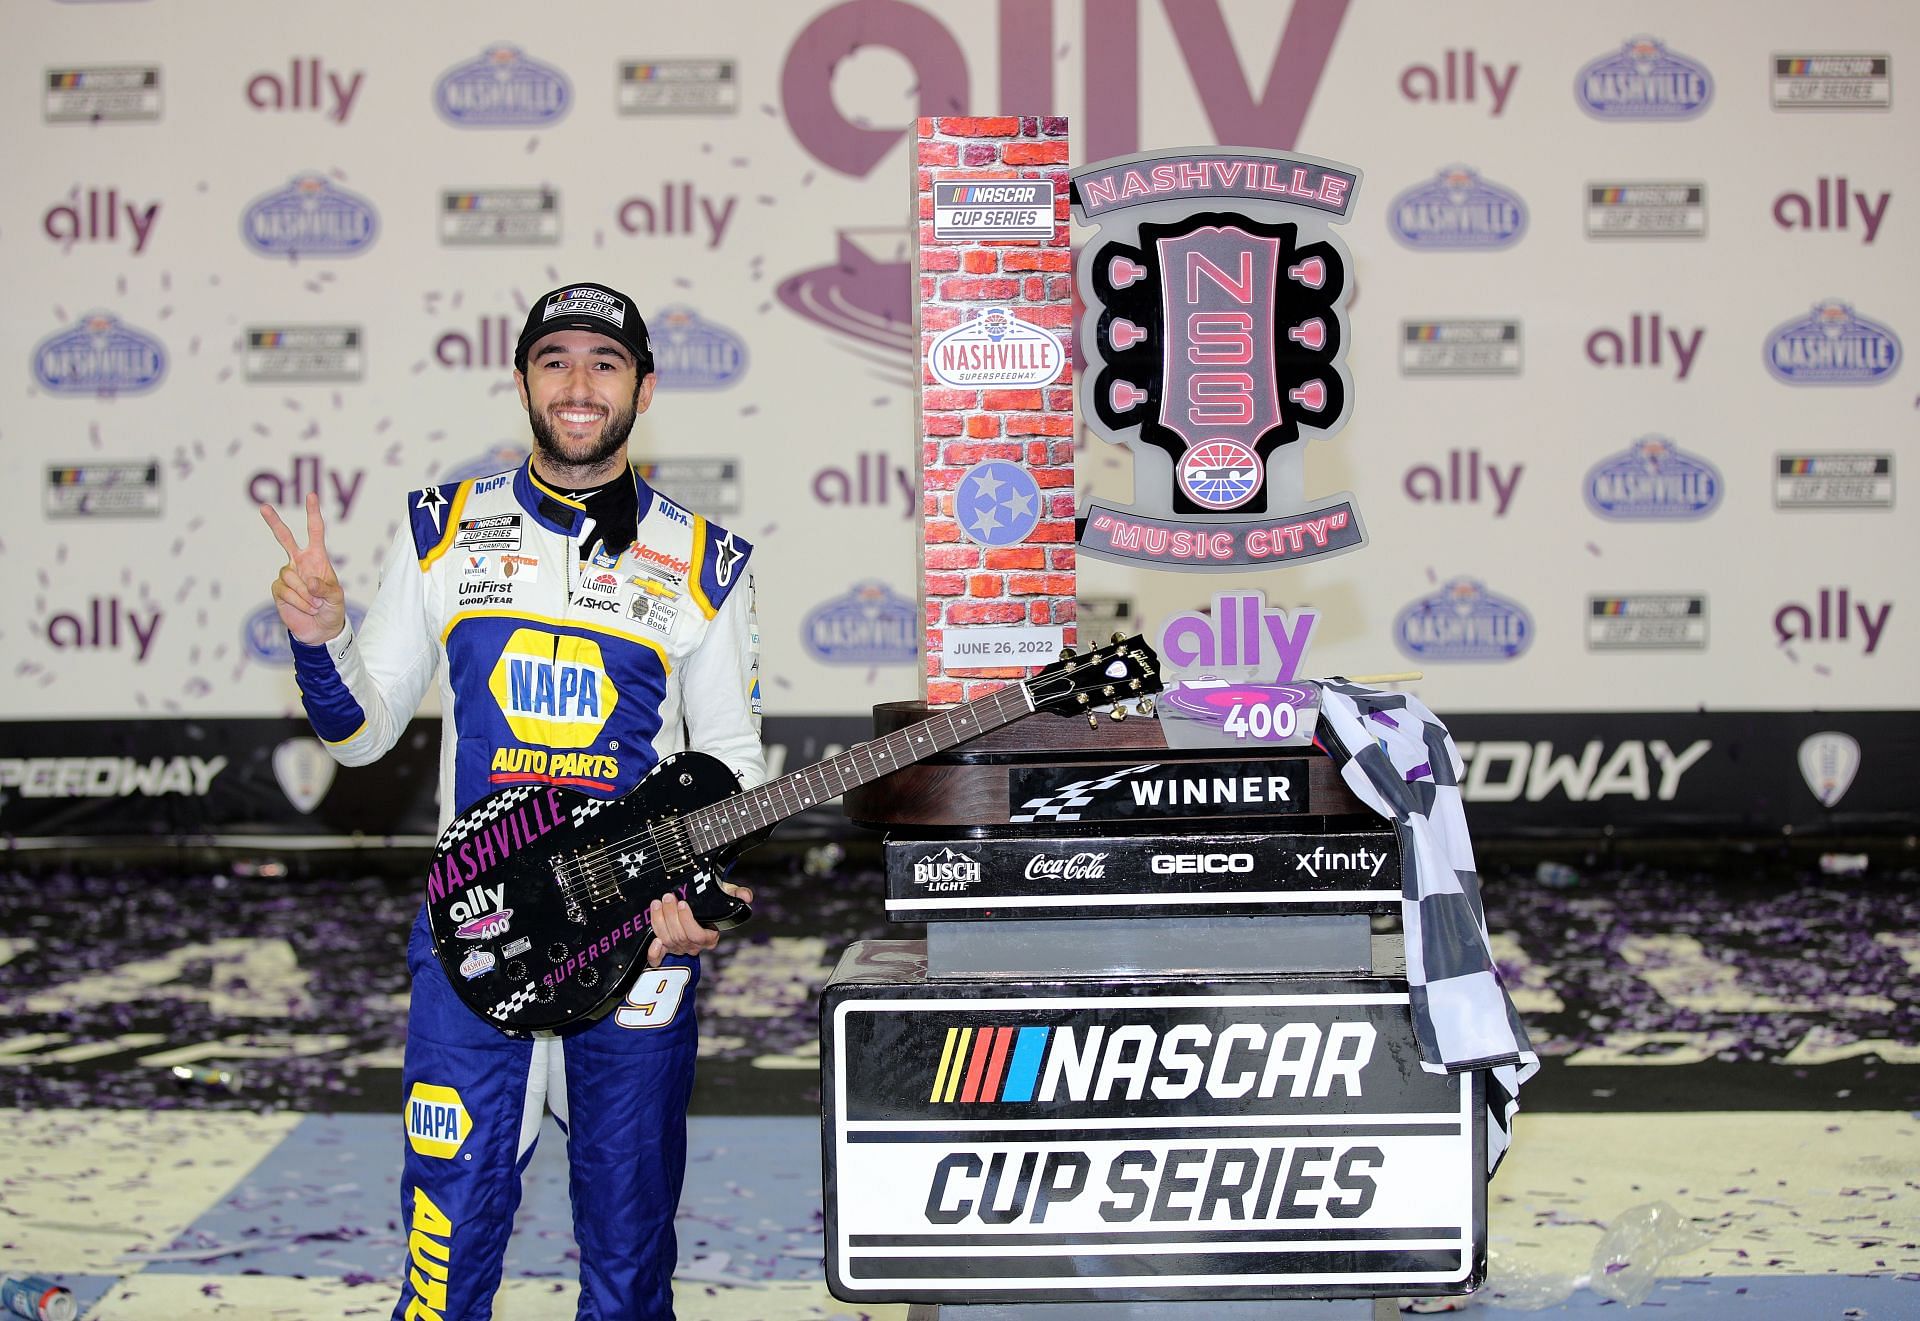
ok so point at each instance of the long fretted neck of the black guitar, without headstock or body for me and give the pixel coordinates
(746, 813)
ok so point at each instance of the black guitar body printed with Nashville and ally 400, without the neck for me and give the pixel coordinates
(539, 898)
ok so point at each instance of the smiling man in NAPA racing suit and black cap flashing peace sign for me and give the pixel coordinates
(631, 627)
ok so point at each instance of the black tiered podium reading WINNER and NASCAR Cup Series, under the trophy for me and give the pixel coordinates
(1153, 1059)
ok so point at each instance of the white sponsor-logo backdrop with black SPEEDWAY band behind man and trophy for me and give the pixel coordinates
(1631, 402)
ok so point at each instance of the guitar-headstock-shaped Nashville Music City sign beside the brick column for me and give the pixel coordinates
(1216, 339)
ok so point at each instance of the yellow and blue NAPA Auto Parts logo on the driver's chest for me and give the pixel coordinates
(556, 694)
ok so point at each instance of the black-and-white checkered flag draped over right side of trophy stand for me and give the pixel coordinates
(1401, 761)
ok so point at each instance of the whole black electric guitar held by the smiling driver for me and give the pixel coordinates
(539, 896)
